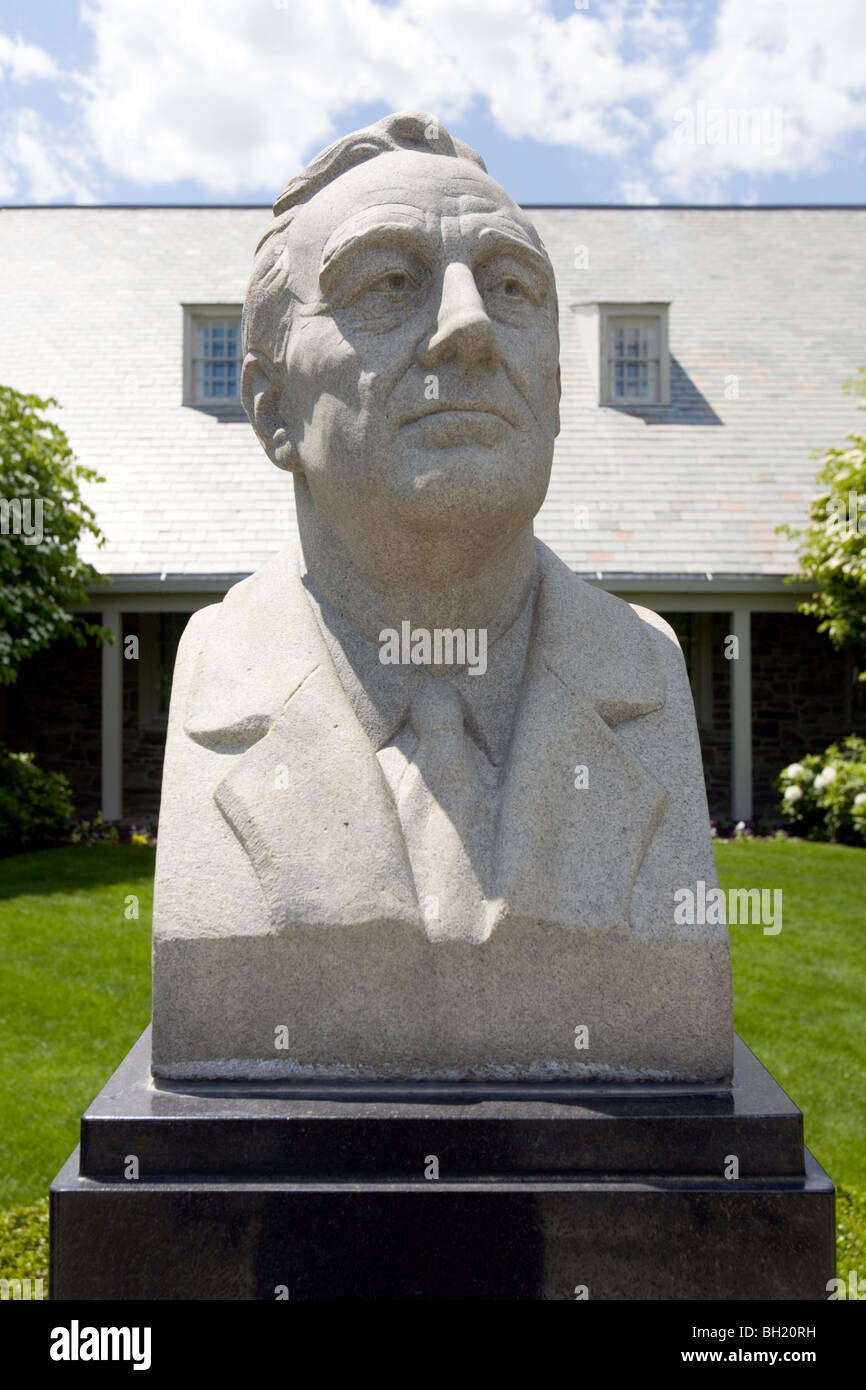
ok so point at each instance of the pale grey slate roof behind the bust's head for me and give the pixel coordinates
(92, 315)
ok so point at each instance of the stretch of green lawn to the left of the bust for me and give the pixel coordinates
(74, 996)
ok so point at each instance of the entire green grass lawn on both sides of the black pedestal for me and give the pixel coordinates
(76, 995)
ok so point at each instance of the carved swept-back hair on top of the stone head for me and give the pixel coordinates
(268, 309)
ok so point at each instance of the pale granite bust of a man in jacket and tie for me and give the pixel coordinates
(427, 794)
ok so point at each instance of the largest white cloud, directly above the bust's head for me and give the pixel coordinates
(238, 97)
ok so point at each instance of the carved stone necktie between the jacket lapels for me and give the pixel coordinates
(443, 810)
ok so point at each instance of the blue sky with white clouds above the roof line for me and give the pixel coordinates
(743, 102)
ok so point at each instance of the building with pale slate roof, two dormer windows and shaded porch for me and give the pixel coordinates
(703, 355)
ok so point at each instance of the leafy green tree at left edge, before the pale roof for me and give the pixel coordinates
(42, 521)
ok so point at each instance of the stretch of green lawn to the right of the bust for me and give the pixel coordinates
(800, 1003)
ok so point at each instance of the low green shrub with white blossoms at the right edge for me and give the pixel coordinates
(825, 794)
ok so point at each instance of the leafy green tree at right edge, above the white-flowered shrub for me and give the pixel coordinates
(833, 546)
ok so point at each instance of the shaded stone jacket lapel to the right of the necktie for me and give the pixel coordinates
(578, 810)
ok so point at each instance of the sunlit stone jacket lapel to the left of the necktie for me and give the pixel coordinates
(307, 796)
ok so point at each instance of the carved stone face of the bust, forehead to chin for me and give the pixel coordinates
(422, 382)
